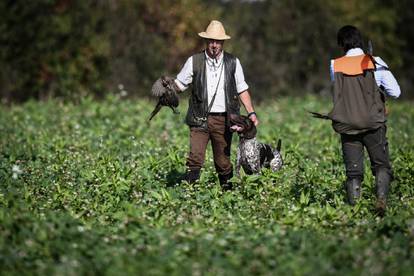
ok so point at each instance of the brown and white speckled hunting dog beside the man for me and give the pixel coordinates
(251, 154)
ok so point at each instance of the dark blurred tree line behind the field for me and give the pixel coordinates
(73, 48)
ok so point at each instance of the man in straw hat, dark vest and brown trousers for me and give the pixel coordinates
(218, 84)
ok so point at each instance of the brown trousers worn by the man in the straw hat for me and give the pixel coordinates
(220, 135)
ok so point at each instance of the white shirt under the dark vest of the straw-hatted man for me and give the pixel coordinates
(214, 80)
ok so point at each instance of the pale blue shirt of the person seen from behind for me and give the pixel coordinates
(382, 75)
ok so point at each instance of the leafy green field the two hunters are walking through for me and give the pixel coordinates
(92, 189)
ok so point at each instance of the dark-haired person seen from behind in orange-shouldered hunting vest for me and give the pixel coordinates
(361, 84)
